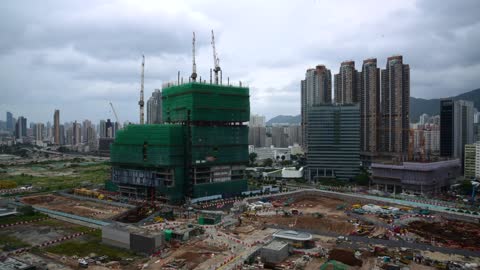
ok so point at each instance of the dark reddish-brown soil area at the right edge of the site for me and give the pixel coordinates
(450, 233)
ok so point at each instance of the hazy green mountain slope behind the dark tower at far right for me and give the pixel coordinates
(419, 106)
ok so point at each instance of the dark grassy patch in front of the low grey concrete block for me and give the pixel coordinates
(82, 249)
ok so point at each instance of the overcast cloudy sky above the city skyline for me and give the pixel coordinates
(77, 56)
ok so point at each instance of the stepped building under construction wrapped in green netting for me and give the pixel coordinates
(201, 150)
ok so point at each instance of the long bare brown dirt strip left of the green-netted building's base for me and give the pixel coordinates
(74, 206)
